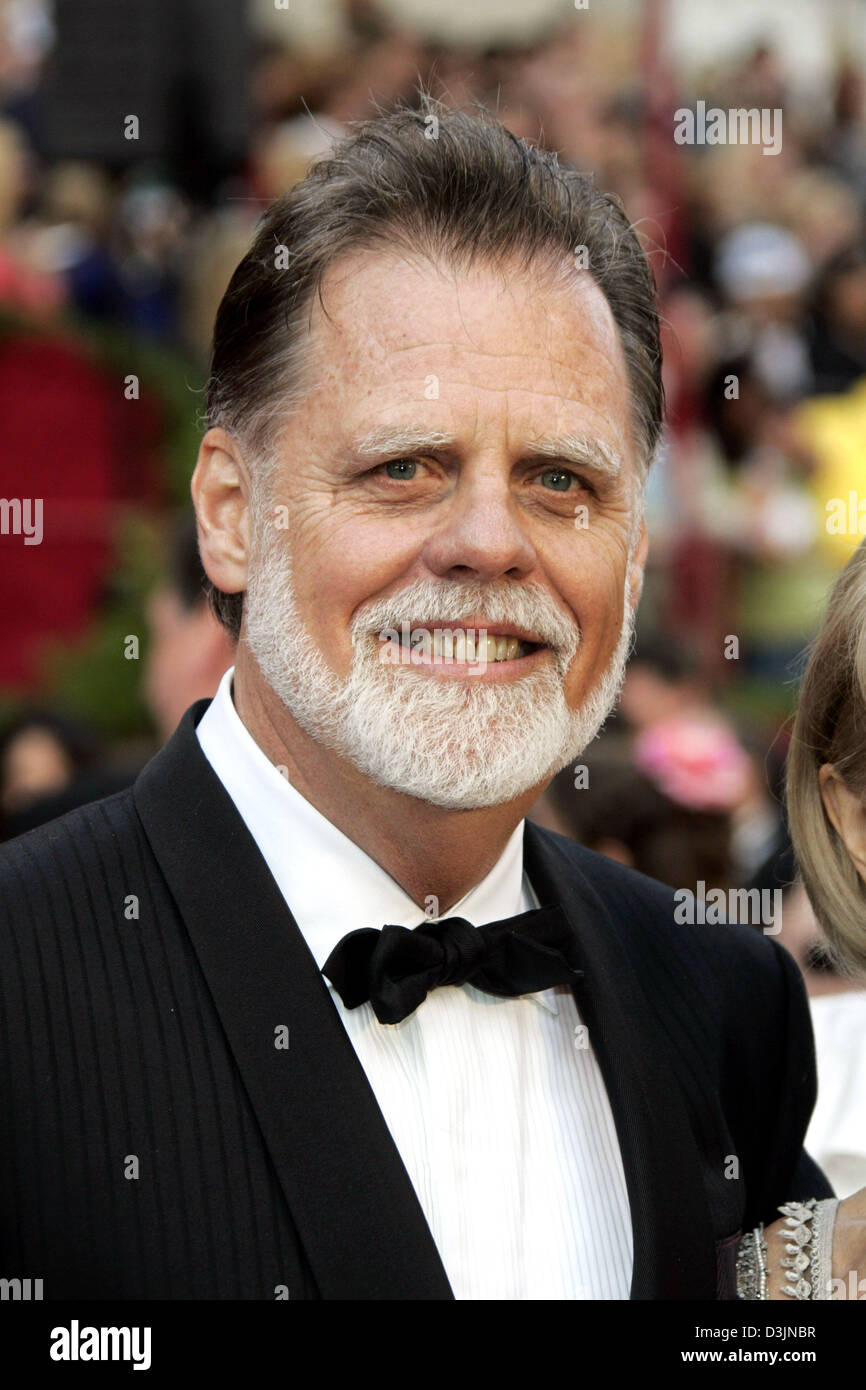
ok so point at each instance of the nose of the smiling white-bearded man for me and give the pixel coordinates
(482, 536)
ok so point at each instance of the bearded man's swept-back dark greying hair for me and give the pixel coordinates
(429, 181)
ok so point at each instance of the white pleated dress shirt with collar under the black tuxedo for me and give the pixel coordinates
(503, 1122)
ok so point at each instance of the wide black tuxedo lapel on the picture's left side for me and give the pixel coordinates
(352, 1202)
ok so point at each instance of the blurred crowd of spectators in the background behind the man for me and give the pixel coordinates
(761, 265)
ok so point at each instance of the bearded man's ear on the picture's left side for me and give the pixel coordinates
(222, 497)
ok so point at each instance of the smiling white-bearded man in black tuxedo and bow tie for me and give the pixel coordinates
(230, 1068)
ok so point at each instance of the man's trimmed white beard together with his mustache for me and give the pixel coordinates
(459, 744)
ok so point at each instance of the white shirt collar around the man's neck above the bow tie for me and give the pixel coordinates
(329, 882)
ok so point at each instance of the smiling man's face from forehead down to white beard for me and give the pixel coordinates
(465, 455)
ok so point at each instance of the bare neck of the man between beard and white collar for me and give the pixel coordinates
(430, 851)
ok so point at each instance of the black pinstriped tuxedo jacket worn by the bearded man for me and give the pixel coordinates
(156, 1143)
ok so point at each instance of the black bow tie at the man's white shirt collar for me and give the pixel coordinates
(395, 968)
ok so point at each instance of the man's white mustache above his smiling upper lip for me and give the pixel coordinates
(444, 601)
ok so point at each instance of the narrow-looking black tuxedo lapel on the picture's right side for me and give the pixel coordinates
(673, 1241)
